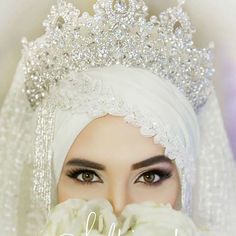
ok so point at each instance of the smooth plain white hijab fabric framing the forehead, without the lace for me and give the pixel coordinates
(140, 88)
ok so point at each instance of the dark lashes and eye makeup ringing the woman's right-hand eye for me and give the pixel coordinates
(164, 174)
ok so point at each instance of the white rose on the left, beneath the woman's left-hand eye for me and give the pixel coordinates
(76, 217)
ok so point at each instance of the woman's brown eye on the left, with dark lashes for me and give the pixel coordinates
(84, 176)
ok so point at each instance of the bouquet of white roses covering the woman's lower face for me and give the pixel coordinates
(78, 217)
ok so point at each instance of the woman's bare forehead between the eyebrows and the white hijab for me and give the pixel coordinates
(110, 136)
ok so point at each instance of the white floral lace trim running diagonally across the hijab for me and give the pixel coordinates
(81, 93)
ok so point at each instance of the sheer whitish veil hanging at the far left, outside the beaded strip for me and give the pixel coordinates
(16, 147)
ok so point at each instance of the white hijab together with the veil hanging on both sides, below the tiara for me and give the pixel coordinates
(141, 98)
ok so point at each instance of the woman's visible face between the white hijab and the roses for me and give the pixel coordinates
(112, 160)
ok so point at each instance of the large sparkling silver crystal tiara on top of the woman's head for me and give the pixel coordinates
(119, 32)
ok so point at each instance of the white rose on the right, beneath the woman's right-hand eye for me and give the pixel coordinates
(151, 219)
